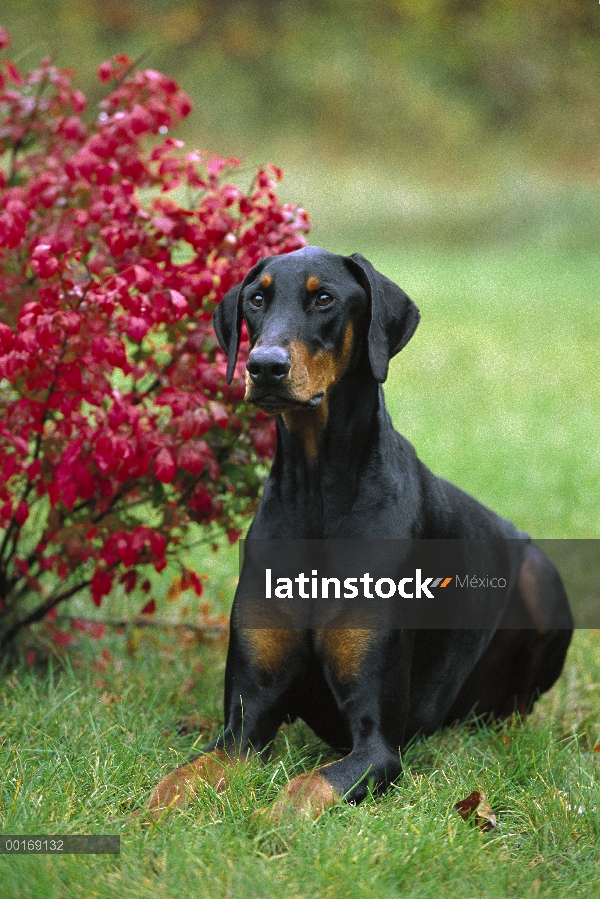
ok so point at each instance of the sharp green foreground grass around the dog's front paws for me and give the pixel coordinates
(81, 749)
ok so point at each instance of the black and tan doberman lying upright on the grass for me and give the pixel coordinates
(322, 330)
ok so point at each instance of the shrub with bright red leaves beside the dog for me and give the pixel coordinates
(118, 432)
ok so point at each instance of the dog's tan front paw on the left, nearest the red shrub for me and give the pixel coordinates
(181, 785)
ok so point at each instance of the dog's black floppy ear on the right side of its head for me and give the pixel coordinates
(394, 316)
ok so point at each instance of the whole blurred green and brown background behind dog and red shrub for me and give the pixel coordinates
(453, 142)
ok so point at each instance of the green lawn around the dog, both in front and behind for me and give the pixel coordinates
(499, 392)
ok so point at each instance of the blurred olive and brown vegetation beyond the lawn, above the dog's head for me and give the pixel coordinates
(397, 121)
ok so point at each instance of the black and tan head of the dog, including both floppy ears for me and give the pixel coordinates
(310, 314)
